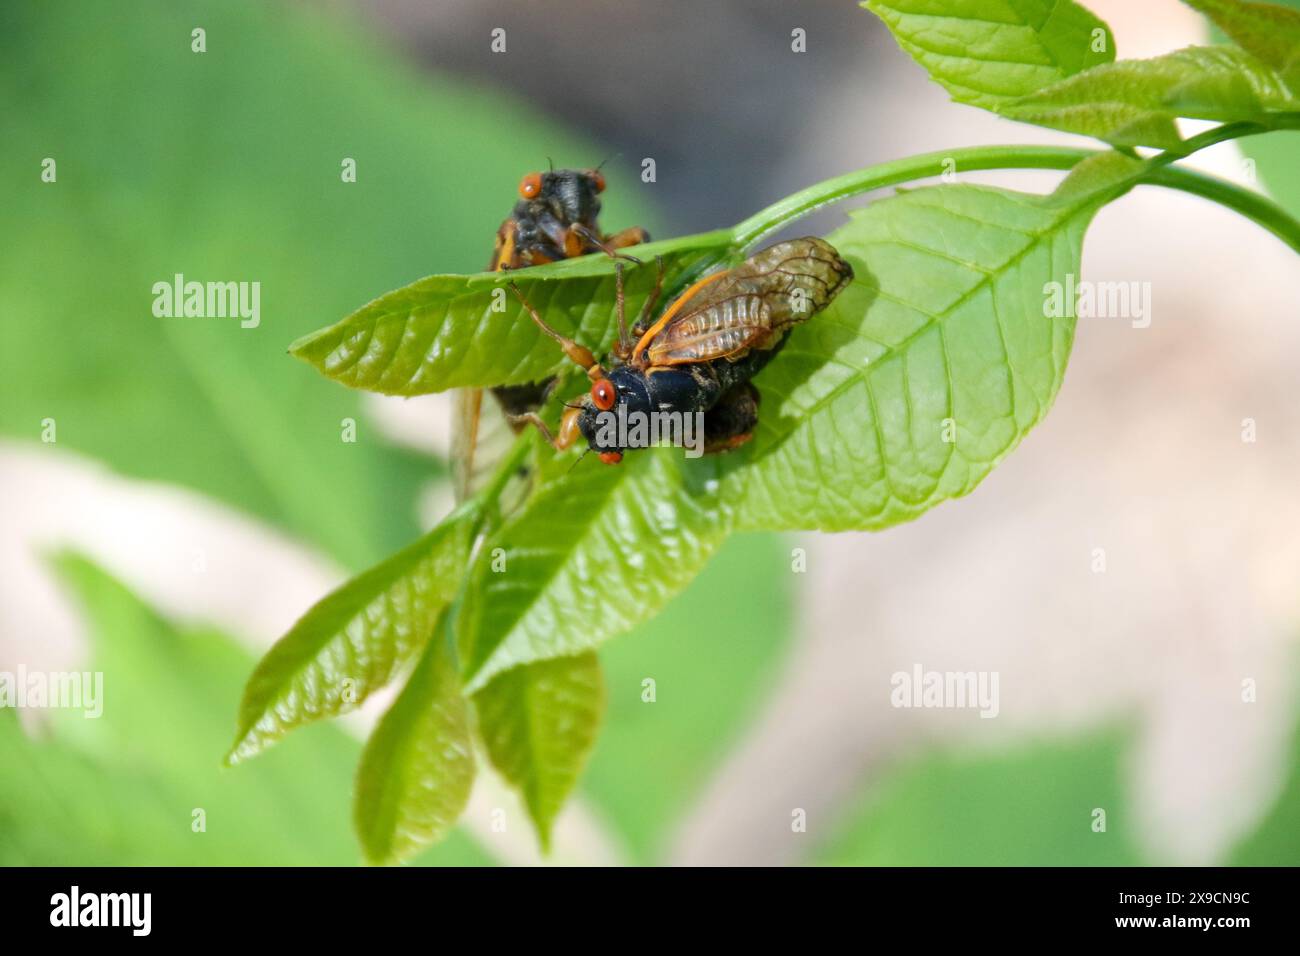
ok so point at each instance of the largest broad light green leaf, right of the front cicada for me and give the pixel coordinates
(944, 330)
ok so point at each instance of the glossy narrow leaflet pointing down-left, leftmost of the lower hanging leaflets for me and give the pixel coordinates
(356, 639)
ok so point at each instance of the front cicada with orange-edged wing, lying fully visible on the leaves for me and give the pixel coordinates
(703, 352)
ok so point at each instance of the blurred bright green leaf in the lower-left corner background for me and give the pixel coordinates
(125, 789)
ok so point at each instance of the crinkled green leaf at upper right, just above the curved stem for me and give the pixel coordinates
(1137, 102)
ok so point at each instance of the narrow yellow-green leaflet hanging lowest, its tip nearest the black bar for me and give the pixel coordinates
(418, 768)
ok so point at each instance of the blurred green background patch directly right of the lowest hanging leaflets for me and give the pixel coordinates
(713, 656)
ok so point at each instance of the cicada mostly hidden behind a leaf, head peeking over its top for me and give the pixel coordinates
(556, 218)
